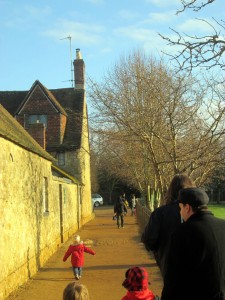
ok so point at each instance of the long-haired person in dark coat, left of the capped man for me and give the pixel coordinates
(164, 220)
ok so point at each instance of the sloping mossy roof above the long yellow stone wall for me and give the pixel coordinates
(11, 130)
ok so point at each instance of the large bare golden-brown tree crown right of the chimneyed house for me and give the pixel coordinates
(156, 124)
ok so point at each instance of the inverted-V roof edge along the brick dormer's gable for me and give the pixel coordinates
(48, 94)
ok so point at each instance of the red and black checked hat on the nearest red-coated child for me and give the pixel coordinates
(136, 279)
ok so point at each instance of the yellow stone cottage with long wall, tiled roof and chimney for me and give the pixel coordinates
(45, 187)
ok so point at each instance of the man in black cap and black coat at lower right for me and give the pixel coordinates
(196, 260)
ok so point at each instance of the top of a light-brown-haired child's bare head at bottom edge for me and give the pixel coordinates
(75, 291)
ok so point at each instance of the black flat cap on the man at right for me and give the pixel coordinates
(195, 197)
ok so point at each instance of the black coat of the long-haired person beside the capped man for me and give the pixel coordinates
(157, 234)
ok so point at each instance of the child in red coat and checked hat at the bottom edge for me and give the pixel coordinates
(136, 283)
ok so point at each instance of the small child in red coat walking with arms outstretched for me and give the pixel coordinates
(76, 250)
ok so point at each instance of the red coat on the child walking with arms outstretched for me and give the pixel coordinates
(77, 254)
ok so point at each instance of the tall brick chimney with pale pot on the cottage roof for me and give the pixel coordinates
(79, 69)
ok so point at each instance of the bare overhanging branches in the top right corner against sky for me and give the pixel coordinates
(204, 51)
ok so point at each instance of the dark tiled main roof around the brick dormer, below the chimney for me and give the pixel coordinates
(70, 101)
